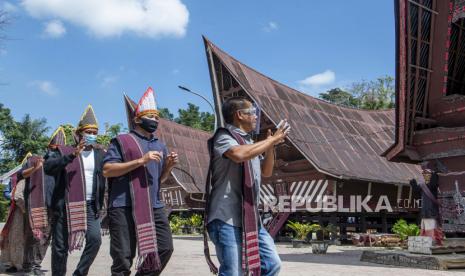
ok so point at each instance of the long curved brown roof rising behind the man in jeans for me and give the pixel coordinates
(343, 142)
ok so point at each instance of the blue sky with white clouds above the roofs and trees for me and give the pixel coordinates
(64, 54)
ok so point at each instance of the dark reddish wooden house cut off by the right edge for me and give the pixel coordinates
(430, 90)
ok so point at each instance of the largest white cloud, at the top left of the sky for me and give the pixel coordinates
(108, 18)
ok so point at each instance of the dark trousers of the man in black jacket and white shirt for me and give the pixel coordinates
(60, 243)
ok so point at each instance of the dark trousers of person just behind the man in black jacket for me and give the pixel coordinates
(34, 251)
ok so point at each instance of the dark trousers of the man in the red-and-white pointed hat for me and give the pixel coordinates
(123, 239)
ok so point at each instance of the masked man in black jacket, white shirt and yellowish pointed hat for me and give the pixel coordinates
(78, 197)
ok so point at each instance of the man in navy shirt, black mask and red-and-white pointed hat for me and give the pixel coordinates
(135, 165)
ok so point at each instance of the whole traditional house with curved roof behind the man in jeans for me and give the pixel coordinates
(331, 150)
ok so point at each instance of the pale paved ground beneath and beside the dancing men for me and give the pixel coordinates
(188, 260)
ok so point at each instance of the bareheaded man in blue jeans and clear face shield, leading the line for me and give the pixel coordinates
(242, 244)
